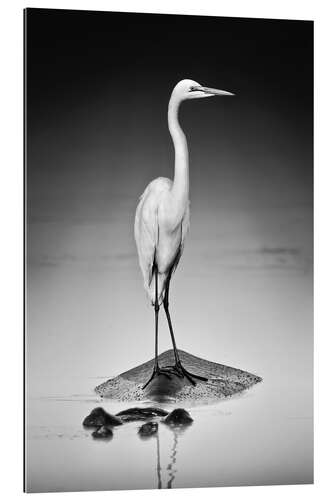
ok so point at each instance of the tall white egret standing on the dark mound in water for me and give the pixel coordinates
(162, 222)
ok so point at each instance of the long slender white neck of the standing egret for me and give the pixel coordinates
(180, 189)
